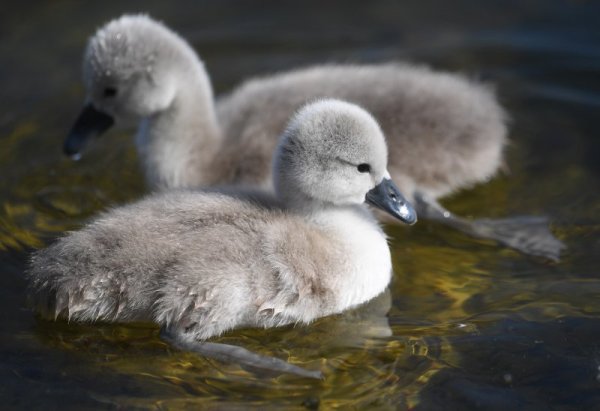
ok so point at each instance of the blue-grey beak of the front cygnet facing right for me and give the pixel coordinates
(388, 198)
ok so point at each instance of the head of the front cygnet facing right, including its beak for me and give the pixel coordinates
(334, 153)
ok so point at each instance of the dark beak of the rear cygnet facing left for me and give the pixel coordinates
(89, 124)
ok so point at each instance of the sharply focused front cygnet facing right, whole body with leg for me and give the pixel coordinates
(200, 263)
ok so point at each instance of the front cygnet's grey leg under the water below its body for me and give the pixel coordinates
(236, 355)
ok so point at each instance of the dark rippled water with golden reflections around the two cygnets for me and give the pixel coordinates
(468, 325)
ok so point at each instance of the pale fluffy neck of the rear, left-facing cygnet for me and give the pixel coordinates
(179, 144)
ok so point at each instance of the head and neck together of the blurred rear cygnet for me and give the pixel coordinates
(136, 69)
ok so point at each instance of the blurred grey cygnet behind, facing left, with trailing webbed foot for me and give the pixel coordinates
(444, 132)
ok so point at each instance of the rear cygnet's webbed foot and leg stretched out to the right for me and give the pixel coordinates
(527, 234)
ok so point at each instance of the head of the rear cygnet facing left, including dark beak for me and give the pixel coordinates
(128, 72)
